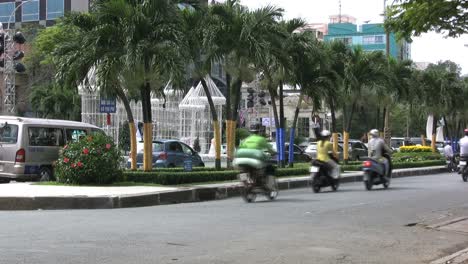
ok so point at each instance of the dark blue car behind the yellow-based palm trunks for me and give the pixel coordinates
(169, 154)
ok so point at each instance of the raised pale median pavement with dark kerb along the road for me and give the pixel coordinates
(27, 196)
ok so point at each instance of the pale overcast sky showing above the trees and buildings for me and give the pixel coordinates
(429, 47)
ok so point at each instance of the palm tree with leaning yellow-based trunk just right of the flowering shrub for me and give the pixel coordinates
(78, 55)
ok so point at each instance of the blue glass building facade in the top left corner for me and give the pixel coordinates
(44, 12)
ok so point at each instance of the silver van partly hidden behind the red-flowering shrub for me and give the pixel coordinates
(29, 146)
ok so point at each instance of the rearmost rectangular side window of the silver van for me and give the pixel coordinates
(45, 136)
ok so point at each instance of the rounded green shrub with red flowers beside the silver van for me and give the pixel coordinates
(91, 160)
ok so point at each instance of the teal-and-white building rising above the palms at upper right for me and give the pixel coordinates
(370, 36)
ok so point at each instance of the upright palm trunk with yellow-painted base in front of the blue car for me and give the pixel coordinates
(147, 127)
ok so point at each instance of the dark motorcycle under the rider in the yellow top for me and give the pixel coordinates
(321, 178)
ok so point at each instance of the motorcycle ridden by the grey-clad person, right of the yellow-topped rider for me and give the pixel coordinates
(374, 173)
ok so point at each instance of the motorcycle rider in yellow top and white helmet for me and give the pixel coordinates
(326, 154)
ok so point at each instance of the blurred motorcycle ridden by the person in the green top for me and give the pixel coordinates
(256, 177)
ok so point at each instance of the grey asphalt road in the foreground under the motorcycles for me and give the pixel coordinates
(349, 226)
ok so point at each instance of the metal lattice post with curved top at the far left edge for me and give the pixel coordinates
(9, 100)
